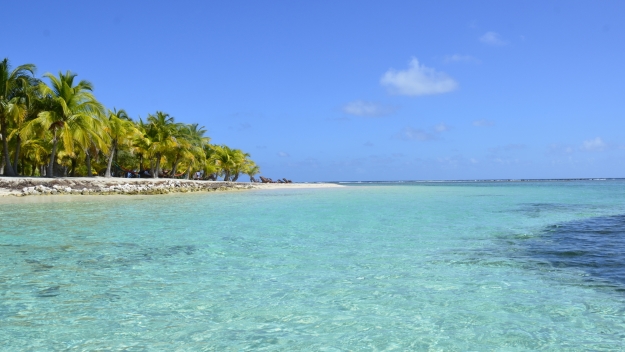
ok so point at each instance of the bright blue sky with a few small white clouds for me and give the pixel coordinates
(356, 90)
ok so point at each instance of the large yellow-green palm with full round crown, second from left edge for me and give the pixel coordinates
(74, 108)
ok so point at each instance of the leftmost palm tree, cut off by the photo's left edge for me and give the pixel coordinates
(12, 84)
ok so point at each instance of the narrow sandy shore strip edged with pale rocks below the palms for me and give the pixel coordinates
(39, 186)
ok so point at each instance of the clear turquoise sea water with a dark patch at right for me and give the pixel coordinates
(440, 267)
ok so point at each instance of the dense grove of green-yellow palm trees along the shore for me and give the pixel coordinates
(60, 129)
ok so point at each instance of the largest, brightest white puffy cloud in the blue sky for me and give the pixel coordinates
(417, 80)
